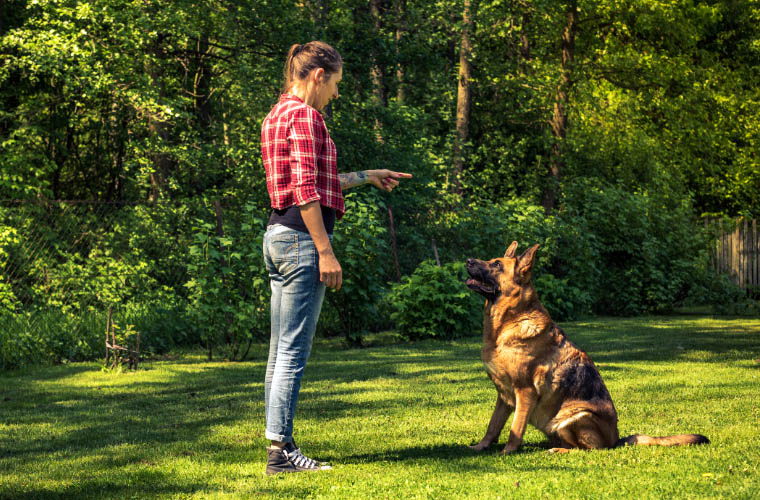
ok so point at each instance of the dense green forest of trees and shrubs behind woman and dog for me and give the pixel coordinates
(605, 131)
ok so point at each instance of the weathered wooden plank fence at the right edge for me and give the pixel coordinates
(737, 251)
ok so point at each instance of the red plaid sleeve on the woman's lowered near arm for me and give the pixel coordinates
(306, 138)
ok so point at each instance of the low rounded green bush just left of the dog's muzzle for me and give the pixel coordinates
(434, 303)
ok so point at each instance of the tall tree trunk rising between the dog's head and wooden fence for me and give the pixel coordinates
(562, 98)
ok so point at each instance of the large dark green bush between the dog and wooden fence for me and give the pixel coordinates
(645, 249)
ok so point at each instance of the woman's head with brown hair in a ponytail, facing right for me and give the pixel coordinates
(315, 67)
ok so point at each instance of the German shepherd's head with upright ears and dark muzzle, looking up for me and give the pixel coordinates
(504, 277)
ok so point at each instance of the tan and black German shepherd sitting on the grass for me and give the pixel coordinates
(539, 374)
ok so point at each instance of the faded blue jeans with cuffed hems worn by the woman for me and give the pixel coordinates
(293, 265)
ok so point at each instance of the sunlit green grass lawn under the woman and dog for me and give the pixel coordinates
(394, 420)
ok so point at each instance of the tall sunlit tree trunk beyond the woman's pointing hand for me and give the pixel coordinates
(464, 97)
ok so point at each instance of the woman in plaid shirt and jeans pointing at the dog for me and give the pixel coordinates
(306, 195)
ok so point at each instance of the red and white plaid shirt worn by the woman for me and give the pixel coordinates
(299, 157)
